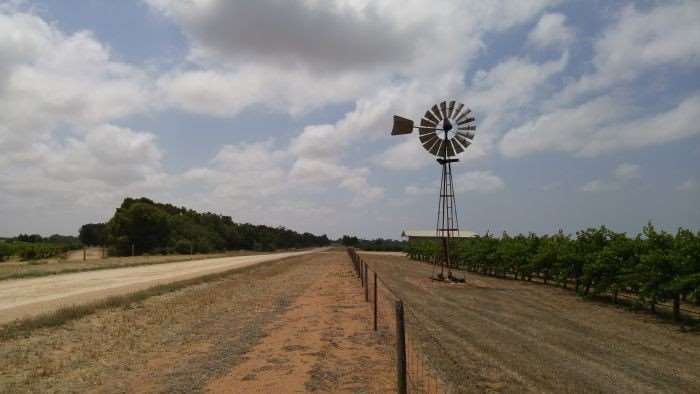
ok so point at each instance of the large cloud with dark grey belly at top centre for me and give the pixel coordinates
(298, 55)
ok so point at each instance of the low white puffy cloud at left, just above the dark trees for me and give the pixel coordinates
(108, 163)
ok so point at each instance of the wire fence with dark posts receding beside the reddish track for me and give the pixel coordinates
(414, 371)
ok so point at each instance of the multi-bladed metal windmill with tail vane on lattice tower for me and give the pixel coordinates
(445, 131)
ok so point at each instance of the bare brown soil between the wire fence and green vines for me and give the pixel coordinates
(497, 335)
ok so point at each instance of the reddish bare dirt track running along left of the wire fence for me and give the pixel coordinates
(322, 343)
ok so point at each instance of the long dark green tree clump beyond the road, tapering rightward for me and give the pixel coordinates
(142, 226)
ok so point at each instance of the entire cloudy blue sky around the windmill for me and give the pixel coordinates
(280, 112)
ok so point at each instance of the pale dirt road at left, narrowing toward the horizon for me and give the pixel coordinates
(27, 297)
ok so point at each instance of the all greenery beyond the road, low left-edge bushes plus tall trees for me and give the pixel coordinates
(144, 227)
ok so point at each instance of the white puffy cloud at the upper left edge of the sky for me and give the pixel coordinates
(48, 78)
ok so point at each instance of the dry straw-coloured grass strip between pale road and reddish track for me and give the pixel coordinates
(171, 338)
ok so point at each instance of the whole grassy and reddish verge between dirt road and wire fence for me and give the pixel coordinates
(299, 320)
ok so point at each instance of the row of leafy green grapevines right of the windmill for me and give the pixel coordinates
(654, 265)
